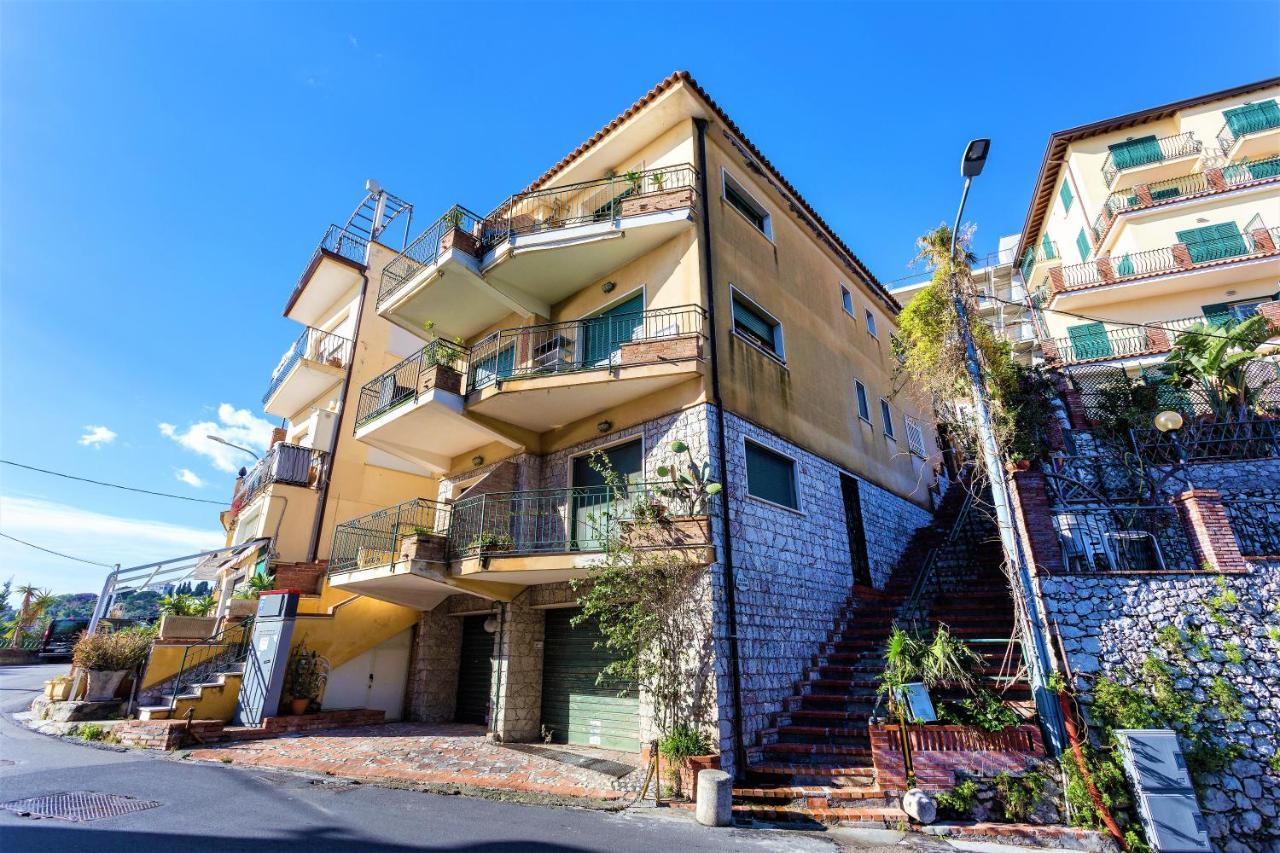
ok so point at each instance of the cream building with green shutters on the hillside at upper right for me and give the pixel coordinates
(1145, 225)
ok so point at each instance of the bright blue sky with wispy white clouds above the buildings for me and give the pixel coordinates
(168, 168)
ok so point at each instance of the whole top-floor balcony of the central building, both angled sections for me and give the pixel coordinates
(467, 273)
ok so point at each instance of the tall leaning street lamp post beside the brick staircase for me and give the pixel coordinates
(1039, 660)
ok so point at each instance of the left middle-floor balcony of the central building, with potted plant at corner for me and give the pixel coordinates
(415, 410)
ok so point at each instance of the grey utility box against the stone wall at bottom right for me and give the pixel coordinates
(1167, 801)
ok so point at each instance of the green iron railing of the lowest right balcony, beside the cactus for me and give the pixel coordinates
(560, 521)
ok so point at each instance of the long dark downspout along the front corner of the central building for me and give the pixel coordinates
(723, 453)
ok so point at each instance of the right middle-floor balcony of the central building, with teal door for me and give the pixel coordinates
(545, 377)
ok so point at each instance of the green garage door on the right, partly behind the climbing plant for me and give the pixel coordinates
(577, 709)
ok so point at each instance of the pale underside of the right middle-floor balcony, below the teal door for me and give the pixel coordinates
(547, 403)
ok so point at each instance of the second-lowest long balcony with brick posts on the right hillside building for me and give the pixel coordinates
(1214, 262)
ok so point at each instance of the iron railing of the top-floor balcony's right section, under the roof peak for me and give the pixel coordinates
(591, 202)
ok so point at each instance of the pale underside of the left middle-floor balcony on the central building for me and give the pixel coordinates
(429, 431)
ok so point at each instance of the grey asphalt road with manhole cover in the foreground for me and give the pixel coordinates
(232, 810)
